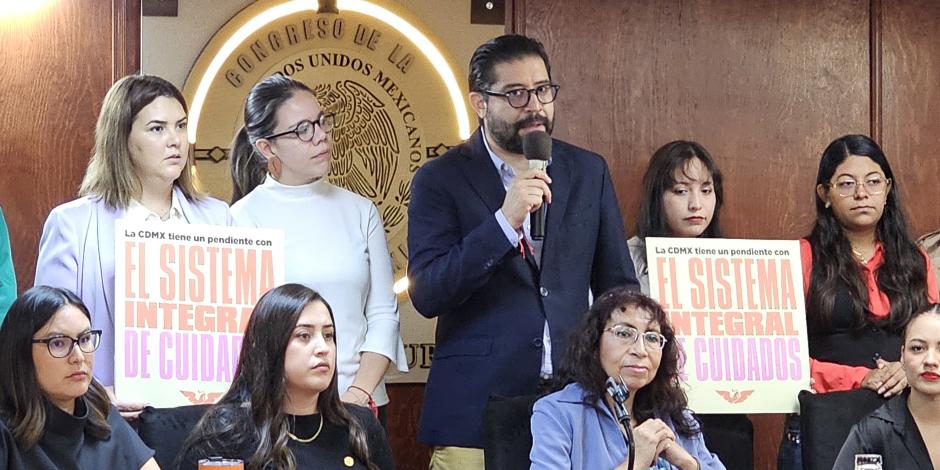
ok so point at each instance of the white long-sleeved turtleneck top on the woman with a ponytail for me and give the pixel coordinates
(335, 244)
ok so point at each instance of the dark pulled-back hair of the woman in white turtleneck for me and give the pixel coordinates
(248, 166)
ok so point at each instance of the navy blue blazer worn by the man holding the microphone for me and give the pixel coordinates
(491, 303)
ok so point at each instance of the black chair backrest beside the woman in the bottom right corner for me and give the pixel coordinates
(825, 422)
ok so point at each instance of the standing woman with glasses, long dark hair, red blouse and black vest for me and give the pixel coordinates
(863, 278)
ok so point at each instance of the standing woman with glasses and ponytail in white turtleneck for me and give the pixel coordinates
(335, 240)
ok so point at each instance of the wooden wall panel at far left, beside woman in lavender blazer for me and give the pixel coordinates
(55, 67)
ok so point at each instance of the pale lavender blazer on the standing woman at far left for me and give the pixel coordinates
(76, 252)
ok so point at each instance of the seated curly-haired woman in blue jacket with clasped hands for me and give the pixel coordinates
(624, 335)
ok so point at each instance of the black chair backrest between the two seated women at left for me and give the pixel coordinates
(165, 429)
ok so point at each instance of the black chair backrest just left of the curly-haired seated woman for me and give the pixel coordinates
(507, 432)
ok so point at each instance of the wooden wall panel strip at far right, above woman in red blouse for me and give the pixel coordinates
(911, 104)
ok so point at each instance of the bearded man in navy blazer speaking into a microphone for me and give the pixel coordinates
(505, 300)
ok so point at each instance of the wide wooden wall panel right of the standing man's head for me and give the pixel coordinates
(764, 85)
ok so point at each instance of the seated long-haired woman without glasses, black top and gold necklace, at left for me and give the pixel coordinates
(283, 409)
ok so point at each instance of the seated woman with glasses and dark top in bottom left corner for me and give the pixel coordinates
(53, 414)
